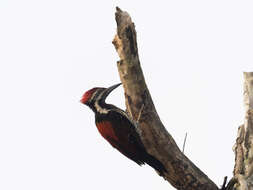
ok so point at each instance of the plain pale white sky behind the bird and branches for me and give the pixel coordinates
(193, 54)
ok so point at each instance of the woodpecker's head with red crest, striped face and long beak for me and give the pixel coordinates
(97, 94)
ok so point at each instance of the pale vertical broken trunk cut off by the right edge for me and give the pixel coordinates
(243, 170)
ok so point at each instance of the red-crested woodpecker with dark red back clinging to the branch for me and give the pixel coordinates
(118, 129)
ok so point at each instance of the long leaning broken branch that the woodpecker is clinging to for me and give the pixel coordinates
(182, 173)
